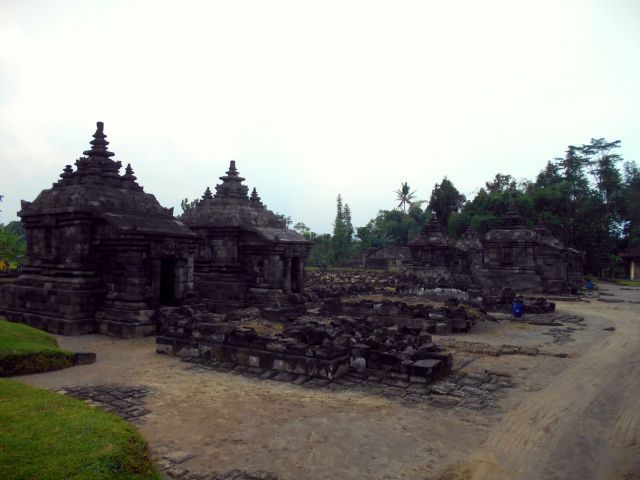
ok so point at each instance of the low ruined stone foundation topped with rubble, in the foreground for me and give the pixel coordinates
(306, 346)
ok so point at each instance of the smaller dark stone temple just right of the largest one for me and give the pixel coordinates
(246, 255)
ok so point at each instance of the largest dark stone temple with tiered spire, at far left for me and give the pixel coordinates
(103, 255)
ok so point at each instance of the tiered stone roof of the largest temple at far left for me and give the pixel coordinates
(97, 186)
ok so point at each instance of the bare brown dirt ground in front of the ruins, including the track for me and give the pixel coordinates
(574, 417)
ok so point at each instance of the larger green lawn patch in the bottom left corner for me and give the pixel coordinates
(46, 435)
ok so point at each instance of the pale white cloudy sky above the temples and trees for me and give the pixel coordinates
(313, 98)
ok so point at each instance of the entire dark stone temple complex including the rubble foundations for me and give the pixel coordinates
(226, 282)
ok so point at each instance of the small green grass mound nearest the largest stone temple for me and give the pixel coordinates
(24, 349)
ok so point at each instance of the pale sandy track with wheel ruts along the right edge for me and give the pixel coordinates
(585, 423)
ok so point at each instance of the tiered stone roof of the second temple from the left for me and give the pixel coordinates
(232, 207)
